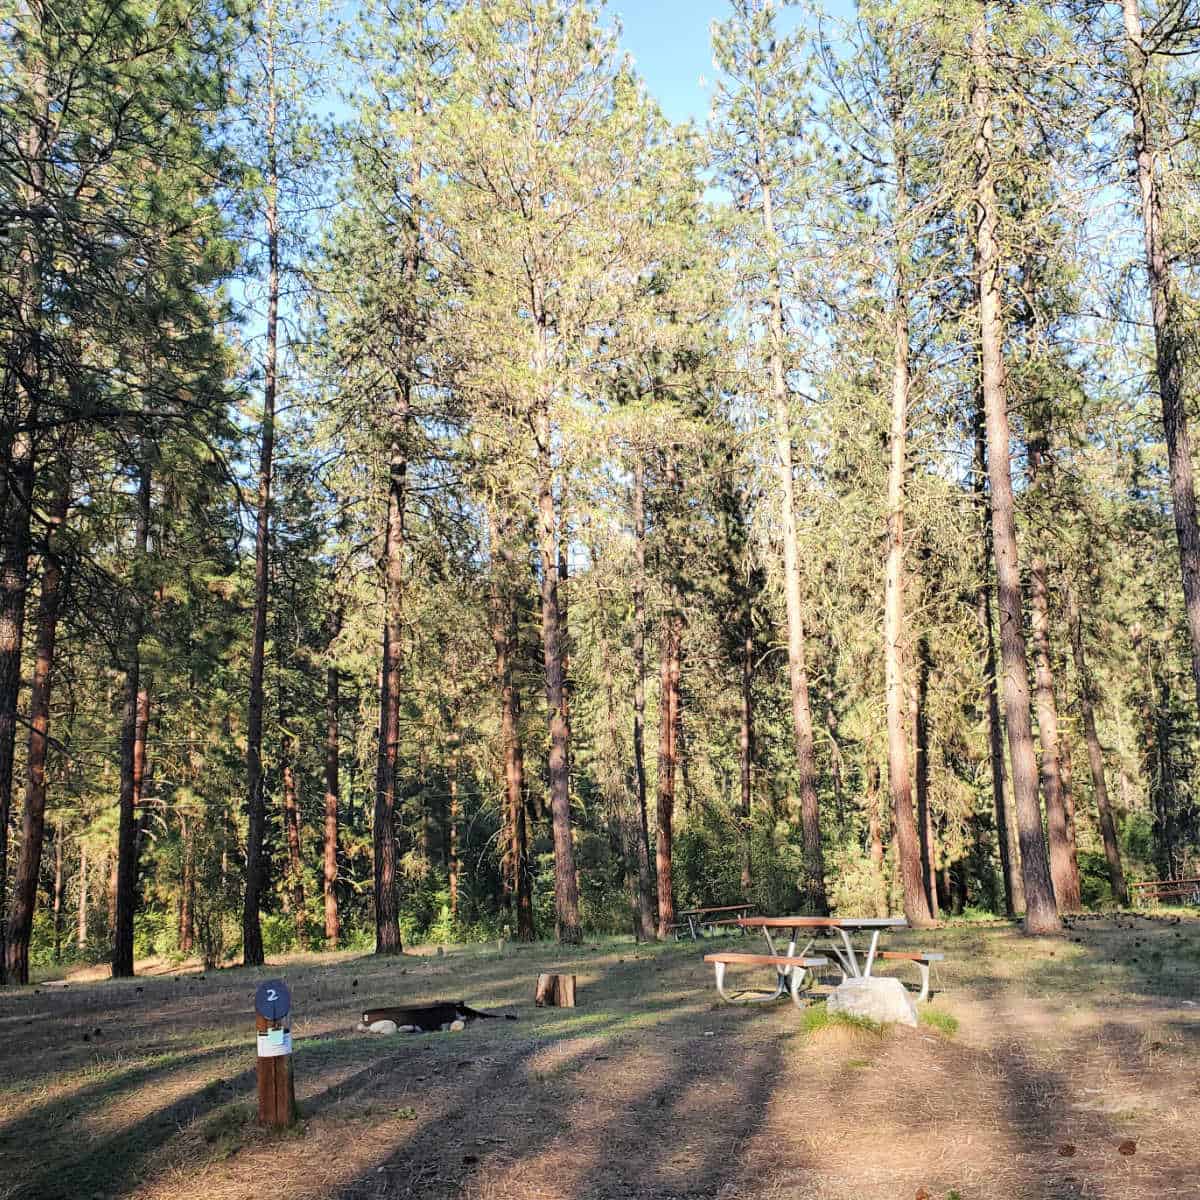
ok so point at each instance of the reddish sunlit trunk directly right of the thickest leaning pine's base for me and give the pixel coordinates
(1064, 868)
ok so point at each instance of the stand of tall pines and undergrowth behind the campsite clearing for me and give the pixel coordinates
(446, 500)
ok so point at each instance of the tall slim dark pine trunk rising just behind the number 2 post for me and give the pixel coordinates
(256, 802)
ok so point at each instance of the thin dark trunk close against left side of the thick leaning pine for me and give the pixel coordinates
(1006, 841)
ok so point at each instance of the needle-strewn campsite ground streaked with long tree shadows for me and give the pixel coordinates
(1072, 1073)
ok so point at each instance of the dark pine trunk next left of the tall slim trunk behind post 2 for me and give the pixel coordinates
(135, 724)
